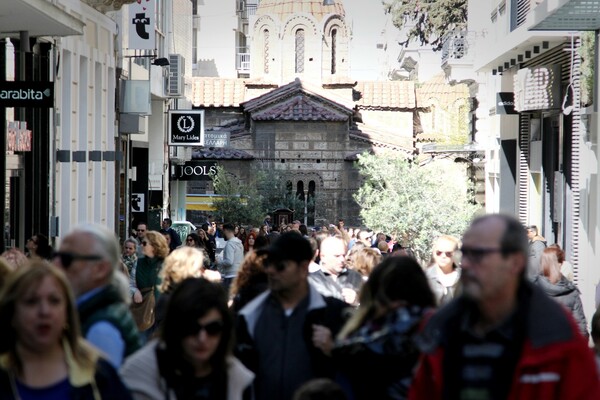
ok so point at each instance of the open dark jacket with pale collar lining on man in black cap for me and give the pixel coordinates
(322, 310)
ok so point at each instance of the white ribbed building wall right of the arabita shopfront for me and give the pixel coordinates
(84, 191)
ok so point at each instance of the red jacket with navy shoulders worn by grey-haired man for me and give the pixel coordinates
(555, 362)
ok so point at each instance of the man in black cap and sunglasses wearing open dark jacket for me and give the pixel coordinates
(280, 333)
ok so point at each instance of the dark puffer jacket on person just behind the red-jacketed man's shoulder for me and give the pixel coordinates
(567, 294)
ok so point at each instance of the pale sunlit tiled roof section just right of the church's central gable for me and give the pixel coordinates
(385, 95)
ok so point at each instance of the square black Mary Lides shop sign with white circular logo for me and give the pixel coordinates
(186, 128)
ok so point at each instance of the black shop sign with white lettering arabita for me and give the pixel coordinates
(27, 94)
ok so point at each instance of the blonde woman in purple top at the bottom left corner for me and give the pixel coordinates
(42, 353)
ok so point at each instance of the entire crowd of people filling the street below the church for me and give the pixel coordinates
(294, 313)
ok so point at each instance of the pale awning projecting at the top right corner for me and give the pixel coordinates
(566, 15)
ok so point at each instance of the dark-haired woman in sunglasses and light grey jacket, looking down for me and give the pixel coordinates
(191, 358)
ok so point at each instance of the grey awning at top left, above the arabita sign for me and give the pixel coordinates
(38, 17)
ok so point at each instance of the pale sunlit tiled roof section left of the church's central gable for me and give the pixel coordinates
(217, 92)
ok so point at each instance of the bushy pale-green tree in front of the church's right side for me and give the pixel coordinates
(414, 203)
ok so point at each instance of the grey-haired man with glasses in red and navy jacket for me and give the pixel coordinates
(502, 338)
